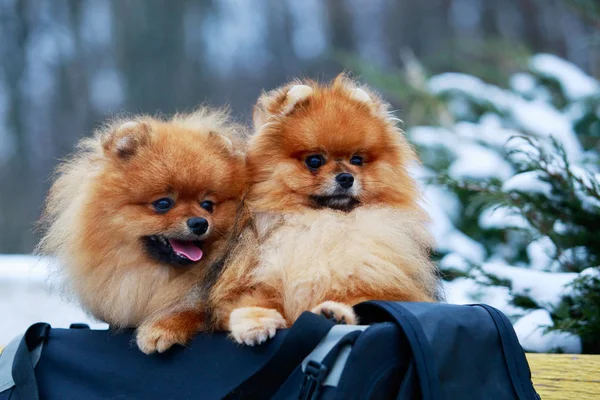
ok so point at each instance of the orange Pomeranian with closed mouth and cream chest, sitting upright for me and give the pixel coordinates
(335, 219)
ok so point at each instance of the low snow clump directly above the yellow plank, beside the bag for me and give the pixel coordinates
(531, 328)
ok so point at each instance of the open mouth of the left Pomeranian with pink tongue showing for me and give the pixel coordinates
(173, 251)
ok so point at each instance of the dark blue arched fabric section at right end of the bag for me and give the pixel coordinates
(474, 356)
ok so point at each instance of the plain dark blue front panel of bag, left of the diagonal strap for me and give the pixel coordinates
(93, 364)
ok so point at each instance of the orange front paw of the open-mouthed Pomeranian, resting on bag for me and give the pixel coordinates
(161, 335)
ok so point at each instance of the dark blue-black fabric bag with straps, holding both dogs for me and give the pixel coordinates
(404, 351)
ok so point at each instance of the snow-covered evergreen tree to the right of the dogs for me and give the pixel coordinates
(511, 177)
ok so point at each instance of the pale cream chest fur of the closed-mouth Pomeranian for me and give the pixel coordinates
(323, 255)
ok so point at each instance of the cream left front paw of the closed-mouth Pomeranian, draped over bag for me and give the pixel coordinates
(254, 325)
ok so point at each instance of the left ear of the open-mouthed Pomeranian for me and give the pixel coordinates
(124, 138)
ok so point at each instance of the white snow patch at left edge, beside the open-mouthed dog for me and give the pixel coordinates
(26, 297)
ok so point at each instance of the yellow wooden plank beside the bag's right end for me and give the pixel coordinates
(565, 376)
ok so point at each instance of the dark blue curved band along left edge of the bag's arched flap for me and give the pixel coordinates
(422, 352)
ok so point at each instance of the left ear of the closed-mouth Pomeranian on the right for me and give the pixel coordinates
(280, 102)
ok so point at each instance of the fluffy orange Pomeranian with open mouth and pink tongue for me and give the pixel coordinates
(136, 216)
